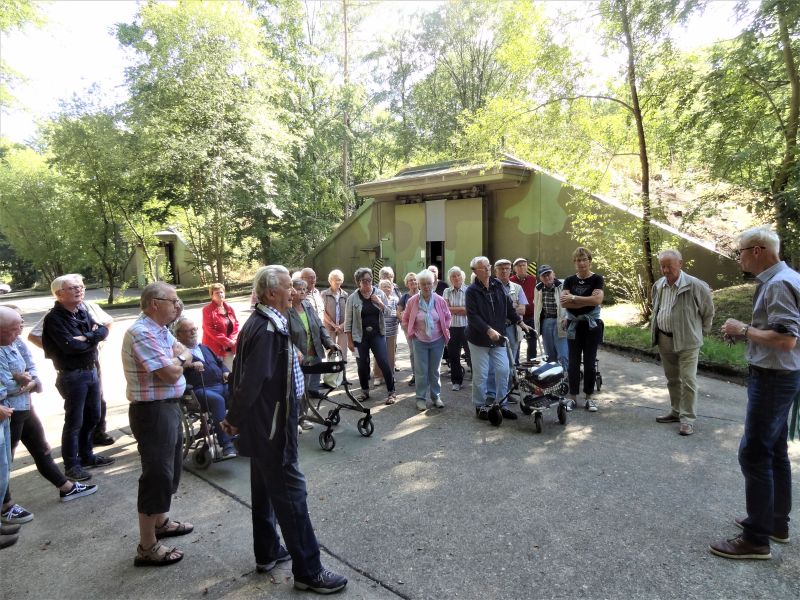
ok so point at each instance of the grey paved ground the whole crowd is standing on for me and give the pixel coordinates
(433, 505)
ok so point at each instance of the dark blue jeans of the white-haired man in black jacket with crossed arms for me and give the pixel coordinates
(81, 392)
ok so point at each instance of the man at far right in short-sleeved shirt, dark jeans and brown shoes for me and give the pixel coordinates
(774, 358)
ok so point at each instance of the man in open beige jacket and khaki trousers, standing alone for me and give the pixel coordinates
(682, 312)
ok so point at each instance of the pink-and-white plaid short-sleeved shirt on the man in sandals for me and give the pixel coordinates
(147, 347)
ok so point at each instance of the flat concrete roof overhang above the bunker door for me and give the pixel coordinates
(446, 176)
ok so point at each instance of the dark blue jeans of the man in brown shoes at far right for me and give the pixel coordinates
(763, 453)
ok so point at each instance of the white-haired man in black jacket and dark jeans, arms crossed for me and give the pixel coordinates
(70, 337)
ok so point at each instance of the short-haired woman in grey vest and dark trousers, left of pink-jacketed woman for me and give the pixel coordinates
(365, 327)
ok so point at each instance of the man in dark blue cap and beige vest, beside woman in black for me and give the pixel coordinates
(549, 316)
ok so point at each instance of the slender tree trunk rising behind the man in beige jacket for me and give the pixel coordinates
(647, 249)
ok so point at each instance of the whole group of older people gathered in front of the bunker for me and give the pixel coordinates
(292, 320)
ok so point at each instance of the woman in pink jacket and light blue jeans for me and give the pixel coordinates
(426, 319)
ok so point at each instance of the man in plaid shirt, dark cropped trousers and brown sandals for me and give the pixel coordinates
(153, 361)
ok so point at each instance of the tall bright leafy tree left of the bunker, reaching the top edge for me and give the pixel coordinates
(204, 104)
